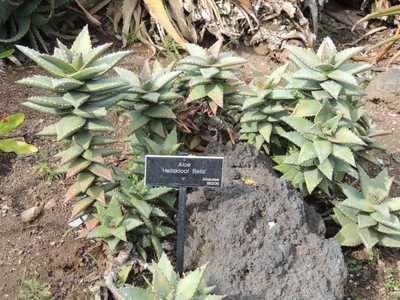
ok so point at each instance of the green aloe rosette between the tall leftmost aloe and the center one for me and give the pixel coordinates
(150, 99)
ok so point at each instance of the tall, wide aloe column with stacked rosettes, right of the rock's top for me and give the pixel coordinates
(327, 132)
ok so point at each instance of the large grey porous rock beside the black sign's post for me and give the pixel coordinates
(258, 238)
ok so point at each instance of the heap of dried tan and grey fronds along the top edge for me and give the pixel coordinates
(195, 21)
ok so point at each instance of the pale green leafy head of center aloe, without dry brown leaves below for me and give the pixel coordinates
(209, 75)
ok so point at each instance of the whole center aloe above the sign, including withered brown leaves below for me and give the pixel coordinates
(212, 101)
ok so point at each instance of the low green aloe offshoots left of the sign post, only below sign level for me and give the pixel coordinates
(135, 214)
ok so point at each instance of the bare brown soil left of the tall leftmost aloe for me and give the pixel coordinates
(44, 249)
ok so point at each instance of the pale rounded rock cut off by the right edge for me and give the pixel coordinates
(386, 88)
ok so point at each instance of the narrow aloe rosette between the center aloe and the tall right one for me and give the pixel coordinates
(263, 108)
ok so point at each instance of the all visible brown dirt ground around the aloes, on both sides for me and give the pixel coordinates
(48, 251)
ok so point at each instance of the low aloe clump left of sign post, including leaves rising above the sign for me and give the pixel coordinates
(130, 198)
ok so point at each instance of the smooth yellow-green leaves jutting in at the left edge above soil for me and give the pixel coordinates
(16, 145)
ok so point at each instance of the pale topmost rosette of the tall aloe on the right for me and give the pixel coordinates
(327, 73)
